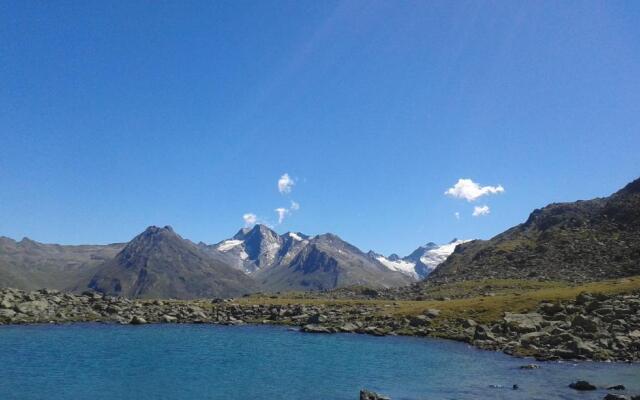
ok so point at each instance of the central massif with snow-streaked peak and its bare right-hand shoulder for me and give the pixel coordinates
(295, 261)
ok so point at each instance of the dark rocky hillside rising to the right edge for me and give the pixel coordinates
(580, 241)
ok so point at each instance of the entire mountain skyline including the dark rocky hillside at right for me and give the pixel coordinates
(579, 241)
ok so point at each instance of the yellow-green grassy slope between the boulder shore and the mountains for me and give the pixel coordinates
(505, 295)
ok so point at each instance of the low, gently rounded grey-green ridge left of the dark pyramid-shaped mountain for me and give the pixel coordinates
(30, 265)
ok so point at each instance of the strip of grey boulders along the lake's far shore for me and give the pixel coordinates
(591, 327)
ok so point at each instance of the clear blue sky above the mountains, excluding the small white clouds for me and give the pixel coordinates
(119, 115)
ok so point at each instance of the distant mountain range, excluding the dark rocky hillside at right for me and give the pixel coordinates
(158, 263)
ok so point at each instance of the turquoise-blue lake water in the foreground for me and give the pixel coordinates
(93, 361)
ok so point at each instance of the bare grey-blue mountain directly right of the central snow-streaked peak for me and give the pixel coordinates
(327, 262)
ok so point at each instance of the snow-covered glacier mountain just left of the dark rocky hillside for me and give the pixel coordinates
(421, 262)
